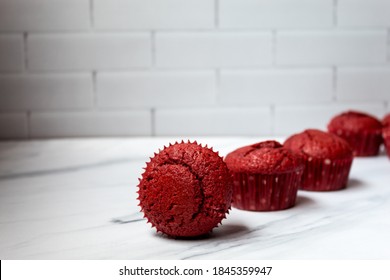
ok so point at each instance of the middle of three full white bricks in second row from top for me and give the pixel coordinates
(206, 49)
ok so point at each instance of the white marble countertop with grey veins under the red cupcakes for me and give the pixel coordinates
(76, 199)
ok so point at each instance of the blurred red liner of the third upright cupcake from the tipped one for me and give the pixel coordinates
(364, 144)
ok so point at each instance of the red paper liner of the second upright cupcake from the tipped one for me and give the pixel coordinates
(325, 174)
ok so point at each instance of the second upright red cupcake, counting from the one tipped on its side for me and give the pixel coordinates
(328, 159)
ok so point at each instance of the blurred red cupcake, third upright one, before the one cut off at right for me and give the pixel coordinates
(363, 132)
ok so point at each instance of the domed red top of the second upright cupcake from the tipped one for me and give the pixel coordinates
(319, 144)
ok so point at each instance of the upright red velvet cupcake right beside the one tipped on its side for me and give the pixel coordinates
(266, 176)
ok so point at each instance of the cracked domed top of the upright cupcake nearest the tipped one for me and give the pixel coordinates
(266, 157)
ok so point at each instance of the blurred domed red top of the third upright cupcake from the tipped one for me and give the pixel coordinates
(354, 121)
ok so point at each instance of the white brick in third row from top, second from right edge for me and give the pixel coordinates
(276, 86)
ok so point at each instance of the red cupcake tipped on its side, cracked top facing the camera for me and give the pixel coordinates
(186, 190)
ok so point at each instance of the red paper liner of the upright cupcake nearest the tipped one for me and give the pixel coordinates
(265, 192)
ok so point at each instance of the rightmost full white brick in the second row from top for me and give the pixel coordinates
(332, 47)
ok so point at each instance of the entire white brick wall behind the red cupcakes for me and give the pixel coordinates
(189, 67)
